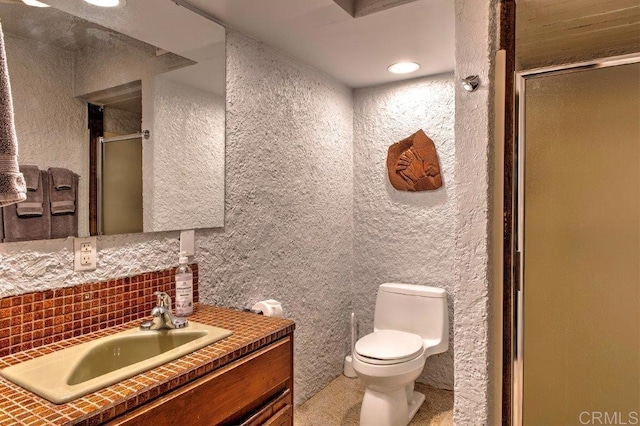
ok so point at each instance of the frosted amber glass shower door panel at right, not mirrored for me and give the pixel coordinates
(581, 253)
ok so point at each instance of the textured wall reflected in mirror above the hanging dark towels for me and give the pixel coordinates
(50, 123)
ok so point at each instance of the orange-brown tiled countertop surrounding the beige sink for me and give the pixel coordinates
(251, 331)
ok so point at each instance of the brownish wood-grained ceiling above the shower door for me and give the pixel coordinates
(559, 31)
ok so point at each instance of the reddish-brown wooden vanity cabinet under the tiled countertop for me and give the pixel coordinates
(256, 389)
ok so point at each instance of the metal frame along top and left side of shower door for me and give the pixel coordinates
(517, 338)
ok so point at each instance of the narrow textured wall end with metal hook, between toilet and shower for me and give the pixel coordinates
(476, 38)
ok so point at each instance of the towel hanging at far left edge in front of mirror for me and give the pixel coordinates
(12, 186)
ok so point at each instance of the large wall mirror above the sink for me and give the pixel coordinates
(74, 81)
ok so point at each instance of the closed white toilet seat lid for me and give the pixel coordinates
(388, 347)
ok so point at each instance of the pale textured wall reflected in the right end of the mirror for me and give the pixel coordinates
(188, 160)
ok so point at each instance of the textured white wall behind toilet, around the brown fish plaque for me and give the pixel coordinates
(403, 236)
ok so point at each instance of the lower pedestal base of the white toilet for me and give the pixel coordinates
(390, 408)
